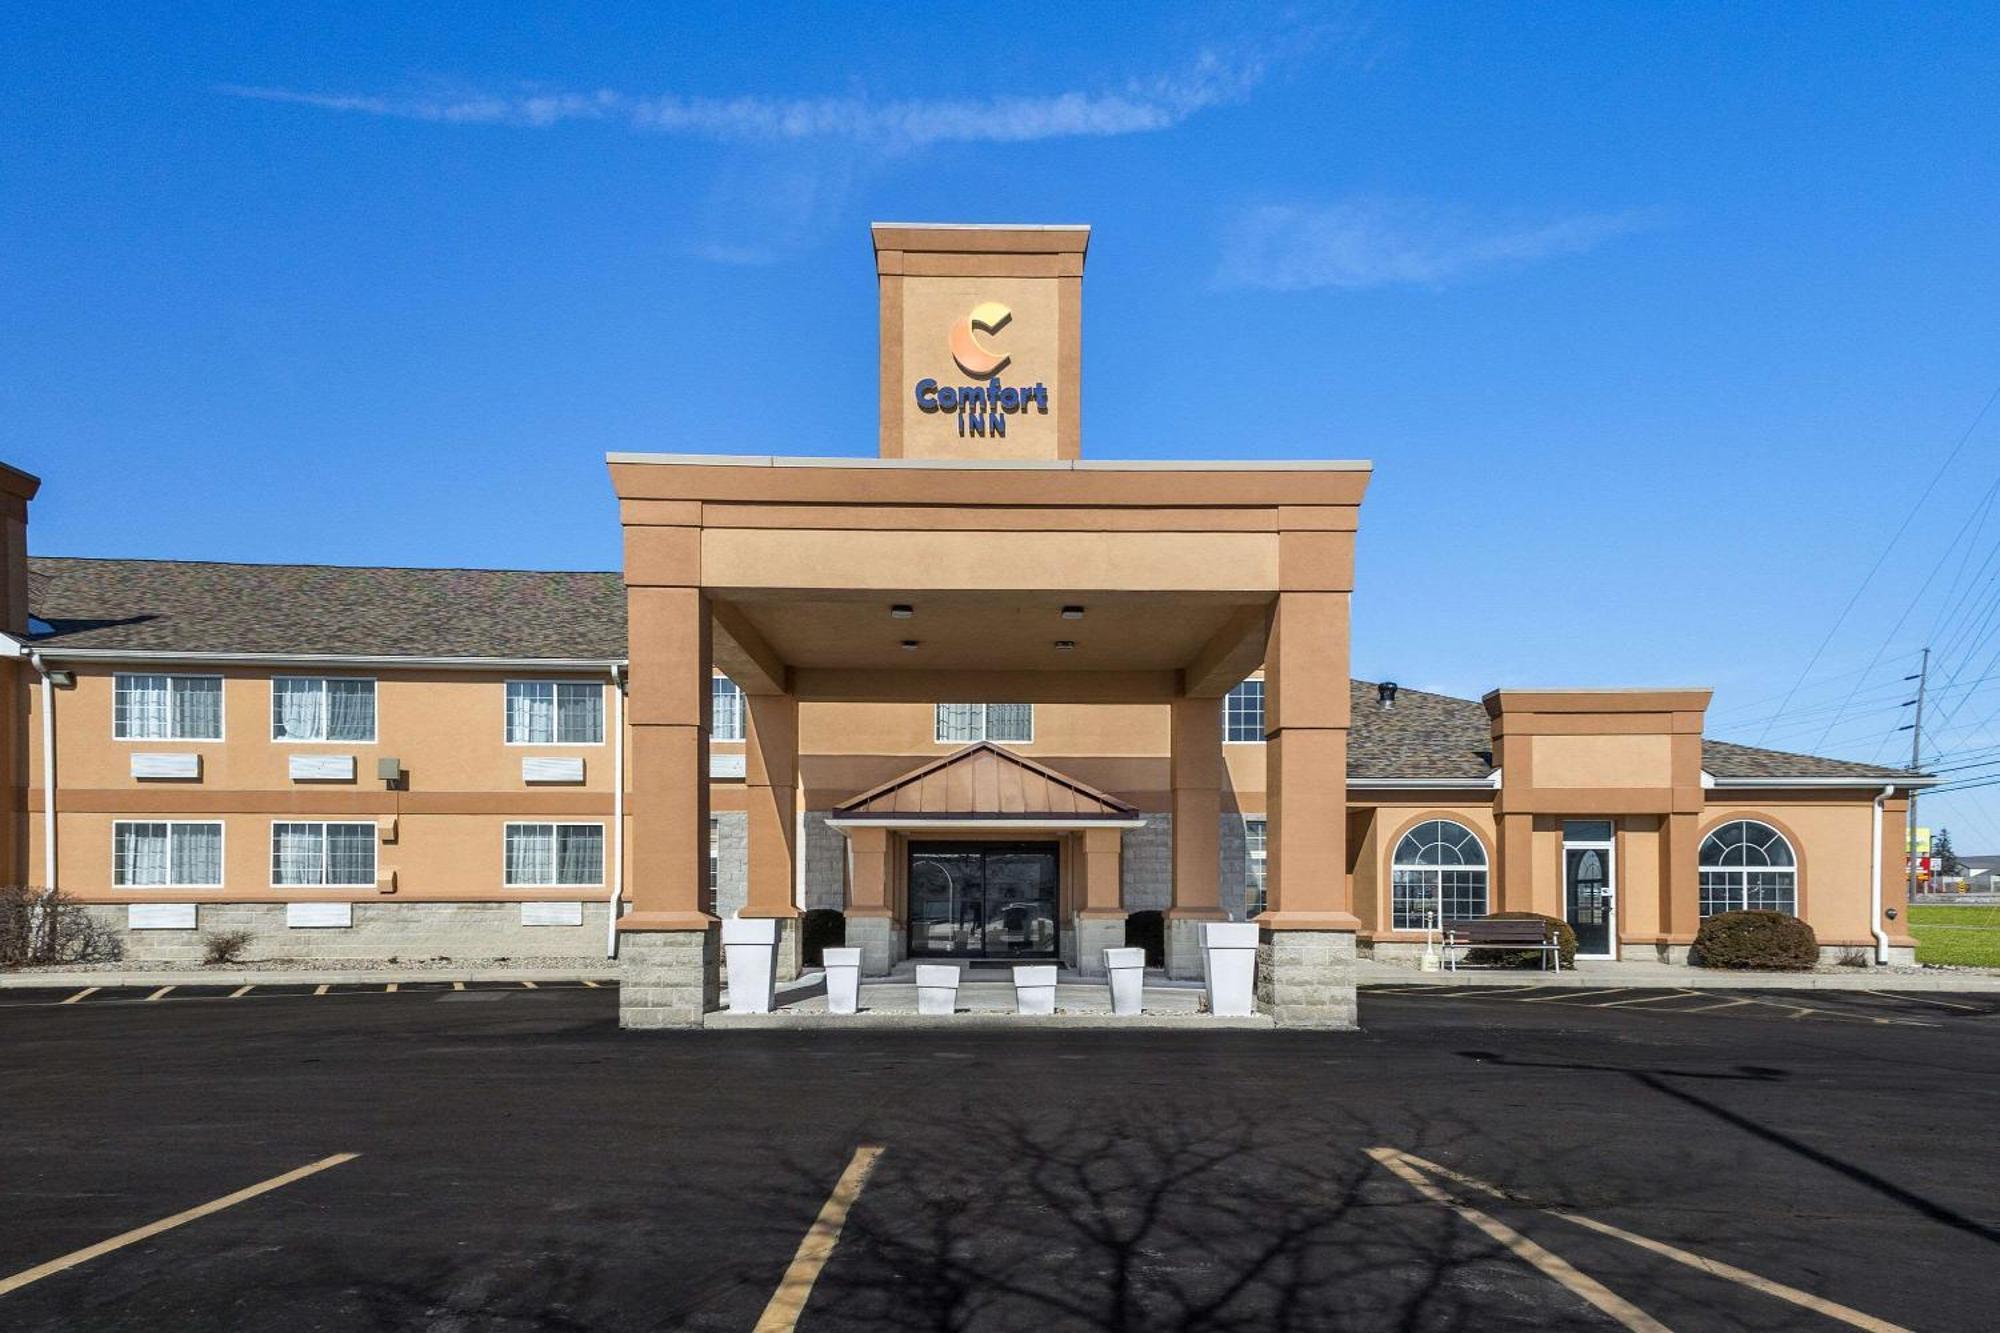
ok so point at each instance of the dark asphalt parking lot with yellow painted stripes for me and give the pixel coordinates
(505, 1158)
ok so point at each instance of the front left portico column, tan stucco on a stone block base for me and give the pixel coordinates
(669, 948)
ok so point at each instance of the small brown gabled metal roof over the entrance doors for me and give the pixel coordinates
(985, 782)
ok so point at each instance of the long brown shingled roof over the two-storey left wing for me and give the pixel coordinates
(327, 609)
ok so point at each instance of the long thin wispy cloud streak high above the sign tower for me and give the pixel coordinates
(1137, 107)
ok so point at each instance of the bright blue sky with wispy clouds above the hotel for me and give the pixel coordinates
(1657, 321)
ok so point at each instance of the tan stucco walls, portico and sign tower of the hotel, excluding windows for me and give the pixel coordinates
(849, 597)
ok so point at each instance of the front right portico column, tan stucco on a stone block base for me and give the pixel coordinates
(1307, 952)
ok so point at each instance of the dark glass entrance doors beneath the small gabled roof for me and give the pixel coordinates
(983, 900)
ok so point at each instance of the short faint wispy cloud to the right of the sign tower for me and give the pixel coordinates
(1399, 243)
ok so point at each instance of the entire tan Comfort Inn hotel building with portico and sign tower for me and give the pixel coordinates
(979, 694)
